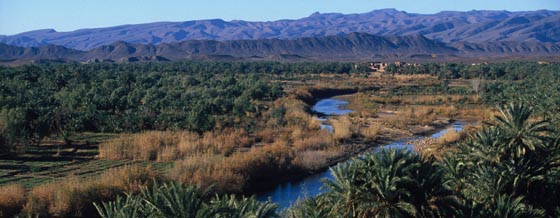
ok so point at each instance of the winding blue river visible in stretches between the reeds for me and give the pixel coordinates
(287, 193)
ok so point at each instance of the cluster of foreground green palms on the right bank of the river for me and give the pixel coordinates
(509, 169)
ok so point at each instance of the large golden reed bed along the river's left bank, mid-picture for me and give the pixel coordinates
(229, 160)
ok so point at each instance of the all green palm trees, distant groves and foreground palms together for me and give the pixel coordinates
(509, 168)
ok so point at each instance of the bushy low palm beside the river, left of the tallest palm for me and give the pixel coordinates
(375, 185)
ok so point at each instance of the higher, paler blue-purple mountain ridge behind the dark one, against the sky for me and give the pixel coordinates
(448, 26)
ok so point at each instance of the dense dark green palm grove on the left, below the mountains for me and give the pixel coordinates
(38, 101)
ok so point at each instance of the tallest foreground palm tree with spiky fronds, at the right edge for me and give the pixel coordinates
(513, 157)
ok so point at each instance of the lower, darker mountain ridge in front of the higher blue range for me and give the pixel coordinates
(348, 47)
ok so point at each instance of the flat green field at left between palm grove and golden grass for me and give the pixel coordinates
(40, 164)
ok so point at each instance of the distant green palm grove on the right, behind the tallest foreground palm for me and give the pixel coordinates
(501, 83)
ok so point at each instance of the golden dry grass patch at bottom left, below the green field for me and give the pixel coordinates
(73, 197)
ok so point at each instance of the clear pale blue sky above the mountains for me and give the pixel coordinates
(65, 15)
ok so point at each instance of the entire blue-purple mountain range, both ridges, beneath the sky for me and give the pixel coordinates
(380, 34)
